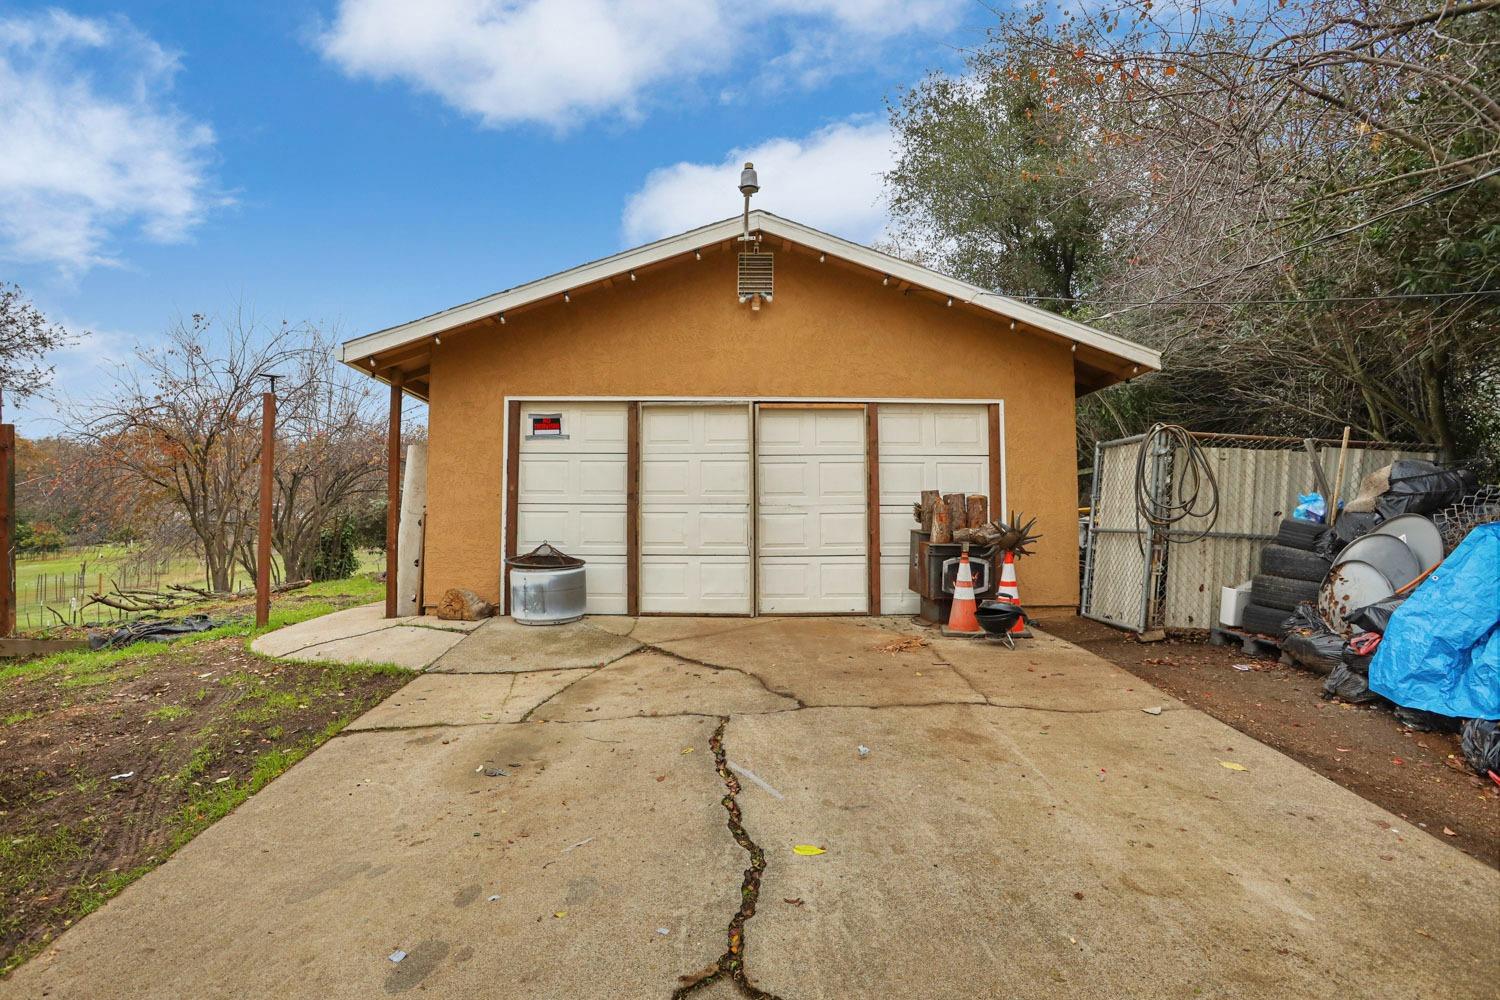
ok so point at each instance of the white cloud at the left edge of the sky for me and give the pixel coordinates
(92, 146)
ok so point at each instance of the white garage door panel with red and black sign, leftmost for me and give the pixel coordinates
(572, 493)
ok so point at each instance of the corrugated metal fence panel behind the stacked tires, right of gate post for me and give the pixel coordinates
(1256, 493)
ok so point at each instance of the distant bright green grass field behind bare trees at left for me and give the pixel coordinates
(58, 581)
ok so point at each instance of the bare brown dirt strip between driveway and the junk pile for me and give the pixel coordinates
(1421, 777)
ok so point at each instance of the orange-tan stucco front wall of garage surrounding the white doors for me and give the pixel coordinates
(680, 332)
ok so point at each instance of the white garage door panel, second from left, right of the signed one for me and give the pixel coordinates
(695, 509)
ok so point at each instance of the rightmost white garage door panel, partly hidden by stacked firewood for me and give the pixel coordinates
(923, 448)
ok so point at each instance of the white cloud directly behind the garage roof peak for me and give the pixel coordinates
(830, 179)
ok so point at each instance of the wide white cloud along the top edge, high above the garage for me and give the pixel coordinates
(557, 62)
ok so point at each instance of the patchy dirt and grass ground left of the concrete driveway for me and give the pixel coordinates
(113, 761)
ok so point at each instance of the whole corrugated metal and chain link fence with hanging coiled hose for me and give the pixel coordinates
(1174, 581)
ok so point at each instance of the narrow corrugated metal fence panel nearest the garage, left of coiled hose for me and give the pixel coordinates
(1118, 552)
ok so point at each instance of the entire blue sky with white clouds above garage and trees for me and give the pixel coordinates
(364, 163)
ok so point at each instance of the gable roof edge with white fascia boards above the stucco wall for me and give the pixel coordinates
(1111, 358)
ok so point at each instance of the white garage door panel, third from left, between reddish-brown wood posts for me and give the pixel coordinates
(811, 513)
